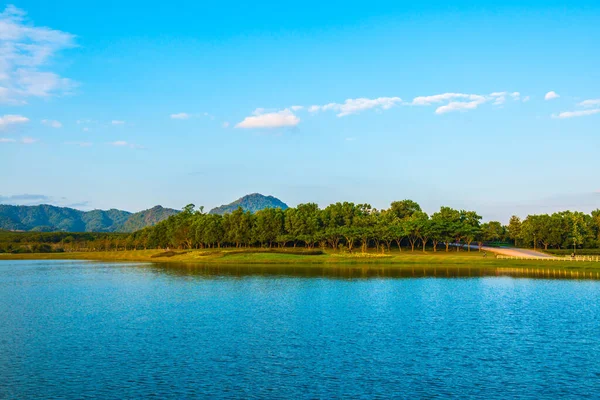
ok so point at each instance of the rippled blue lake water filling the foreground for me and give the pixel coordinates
(71, 329)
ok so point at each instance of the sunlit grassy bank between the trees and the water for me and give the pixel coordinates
(283, 257)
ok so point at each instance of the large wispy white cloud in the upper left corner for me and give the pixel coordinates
(25, 50)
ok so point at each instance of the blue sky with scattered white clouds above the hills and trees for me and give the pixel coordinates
(488, 106)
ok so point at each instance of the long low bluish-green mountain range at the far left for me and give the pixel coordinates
(47, 218)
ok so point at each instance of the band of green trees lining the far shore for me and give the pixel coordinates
(341, 226)
